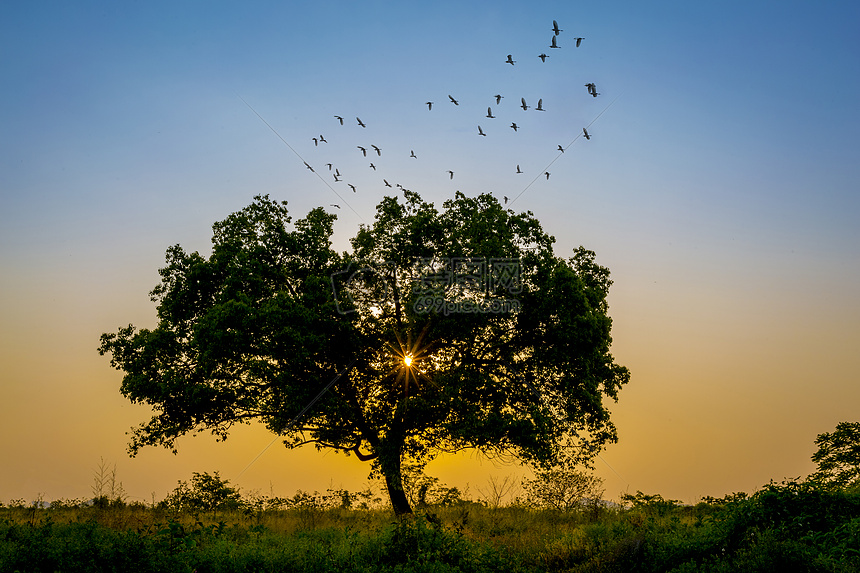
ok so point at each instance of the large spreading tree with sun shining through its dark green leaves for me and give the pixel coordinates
(440, 331)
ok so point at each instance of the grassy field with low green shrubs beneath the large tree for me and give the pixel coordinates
(793, 526)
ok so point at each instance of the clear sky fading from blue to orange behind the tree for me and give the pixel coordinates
(719, 186)
